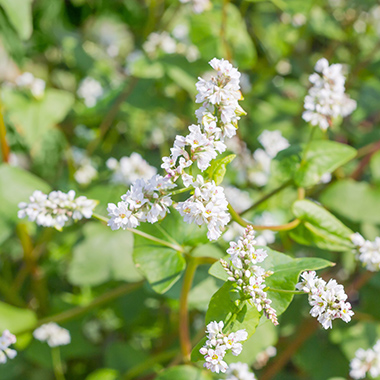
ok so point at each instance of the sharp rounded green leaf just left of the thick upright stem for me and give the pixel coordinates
(161, 266)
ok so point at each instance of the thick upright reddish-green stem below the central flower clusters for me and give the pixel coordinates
(184, 330)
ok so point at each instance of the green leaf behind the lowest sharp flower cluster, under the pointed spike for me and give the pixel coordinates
(223, 307)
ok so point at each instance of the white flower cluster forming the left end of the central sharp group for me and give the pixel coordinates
(146, 201)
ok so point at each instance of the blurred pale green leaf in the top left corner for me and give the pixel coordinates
(19, 13)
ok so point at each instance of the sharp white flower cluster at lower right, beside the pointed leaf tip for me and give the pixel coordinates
(328, 300)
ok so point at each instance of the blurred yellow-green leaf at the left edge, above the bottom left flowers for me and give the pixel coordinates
(15, 319)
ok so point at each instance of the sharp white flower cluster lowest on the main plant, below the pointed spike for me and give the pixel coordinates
(218, 344)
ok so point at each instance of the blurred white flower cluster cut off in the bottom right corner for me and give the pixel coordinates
(366, 361)
